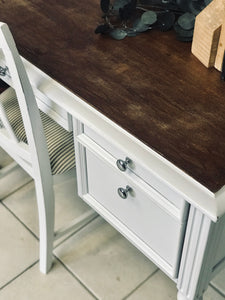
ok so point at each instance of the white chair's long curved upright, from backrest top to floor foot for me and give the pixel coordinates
(37, 146)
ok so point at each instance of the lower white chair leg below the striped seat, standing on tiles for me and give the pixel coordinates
(46, 212)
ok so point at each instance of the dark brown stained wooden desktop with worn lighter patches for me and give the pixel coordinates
(150, 85)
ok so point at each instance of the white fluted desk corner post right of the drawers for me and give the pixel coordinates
(197, 257)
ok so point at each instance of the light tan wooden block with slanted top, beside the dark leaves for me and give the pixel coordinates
(207, 31)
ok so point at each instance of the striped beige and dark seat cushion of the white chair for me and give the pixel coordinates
(59, 141)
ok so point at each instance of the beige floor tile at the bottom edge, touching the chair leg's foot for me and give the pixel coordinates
(57, 285)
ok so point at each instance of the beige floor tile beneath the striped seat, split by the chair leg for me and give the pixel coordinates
(67, 204)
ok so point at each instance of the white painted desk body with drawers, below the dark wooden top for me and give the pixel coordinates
(167, 215)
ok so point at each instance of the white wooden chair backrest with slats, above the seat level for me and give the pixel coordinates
(36, 152)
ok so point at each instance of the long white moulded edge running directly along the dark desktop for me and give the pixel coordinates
(174, 178)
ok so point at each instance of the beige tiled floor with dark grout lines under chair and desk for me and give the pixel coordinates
(94, 263)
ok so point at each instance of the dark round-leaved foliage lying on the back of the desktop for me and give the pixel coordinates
(131, 17)
